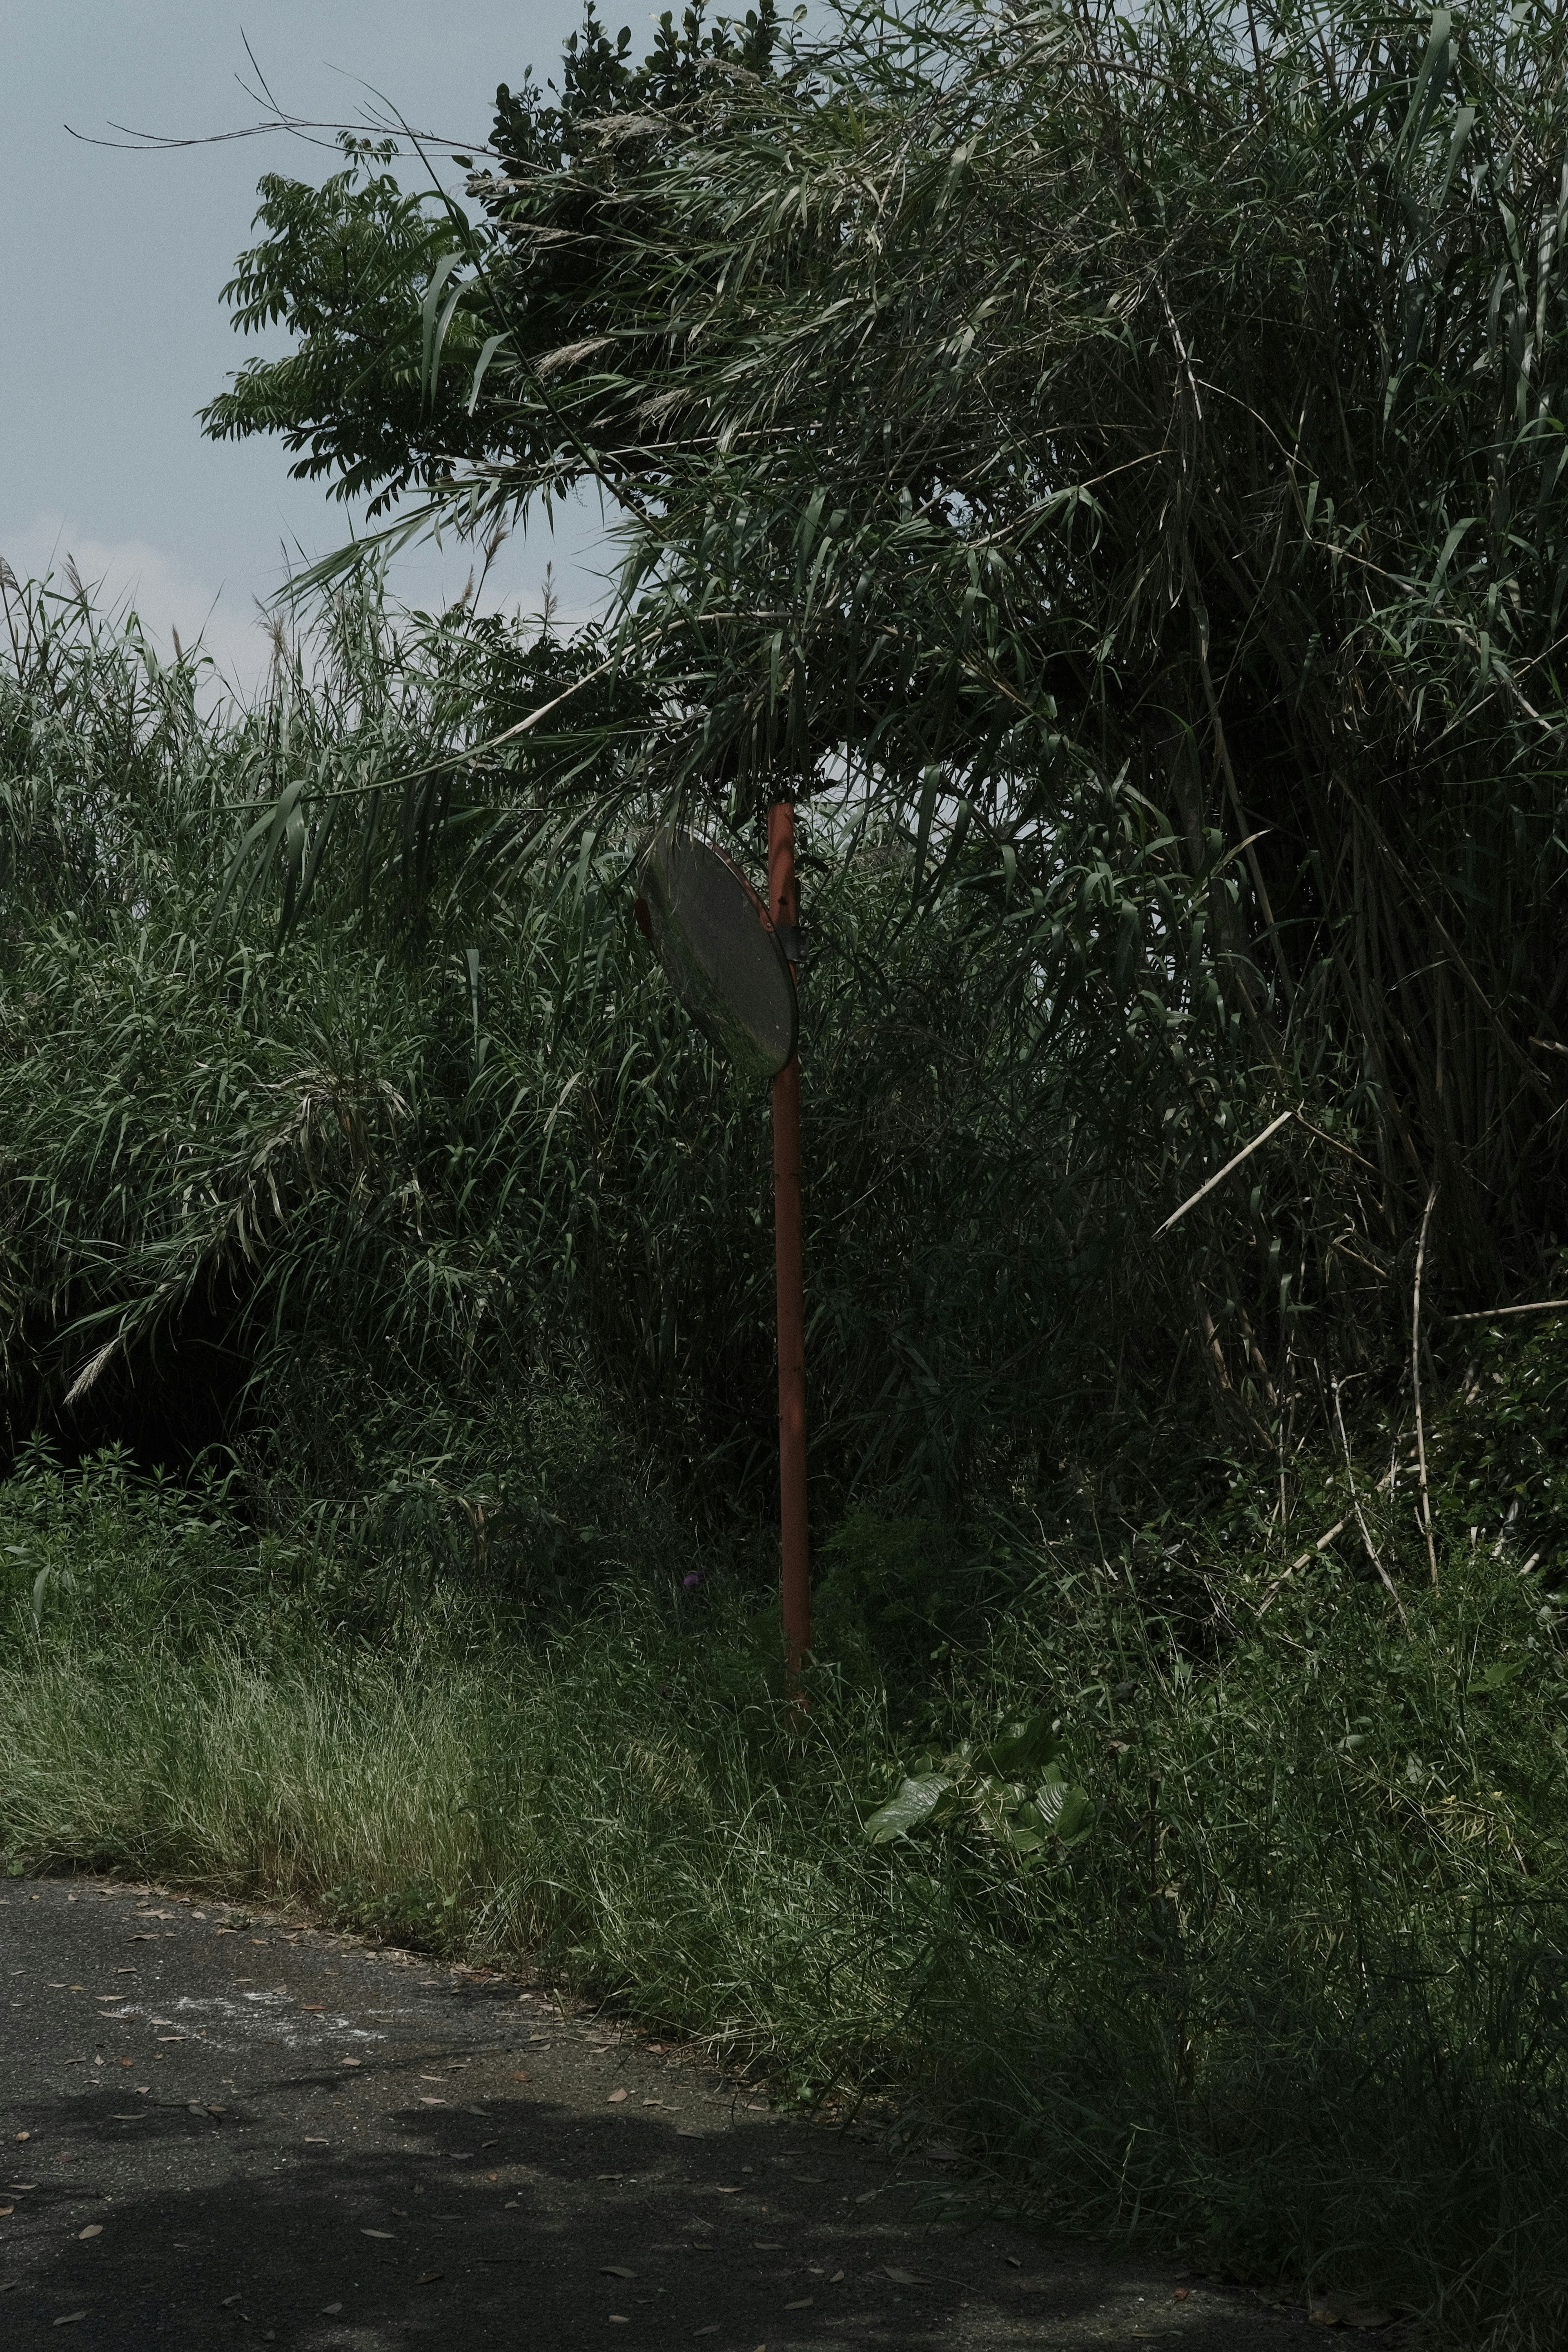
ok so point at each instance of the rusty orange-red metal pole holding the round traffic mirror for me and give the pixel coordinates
(784, 907)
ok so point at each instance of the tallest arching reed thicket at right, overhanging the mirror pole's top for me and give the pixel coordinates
(1125, 450)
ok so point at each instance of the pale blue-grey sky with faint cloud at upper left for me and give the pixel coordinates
(112, 274)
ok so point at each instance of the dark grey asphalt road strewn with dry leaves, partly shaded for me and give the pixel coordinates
(234, 2130)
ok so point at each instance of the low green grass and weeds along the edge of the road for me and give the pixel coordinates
(1294, 2007)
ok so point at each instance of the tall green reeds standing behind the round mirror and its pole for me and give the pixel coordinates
(438, 1175)
